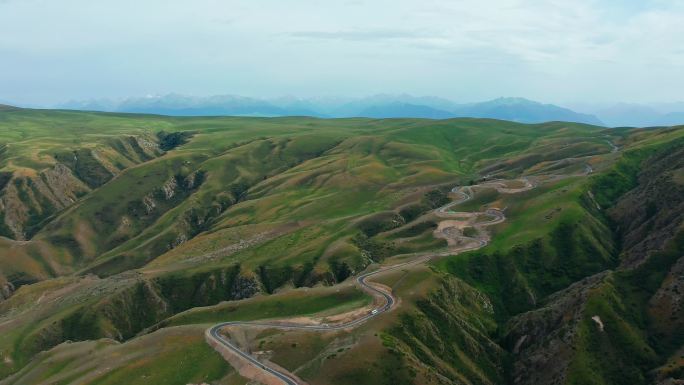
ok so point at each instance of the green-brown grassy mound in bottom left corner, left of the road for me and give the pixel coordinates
(142, 361)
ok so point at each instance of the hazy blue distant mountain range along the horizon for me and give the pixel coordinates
(378, 106)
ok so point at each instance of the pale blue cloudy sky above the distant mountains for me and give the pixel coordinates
(556, 51)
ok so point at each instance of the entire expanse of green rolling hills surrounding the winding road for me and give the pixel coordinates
(123, 231)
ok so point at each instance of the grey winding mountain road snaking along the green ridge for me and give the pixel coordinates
(465, 193)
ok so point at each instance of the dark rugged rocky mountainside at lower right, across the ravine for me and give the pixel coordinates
(594, 319)
